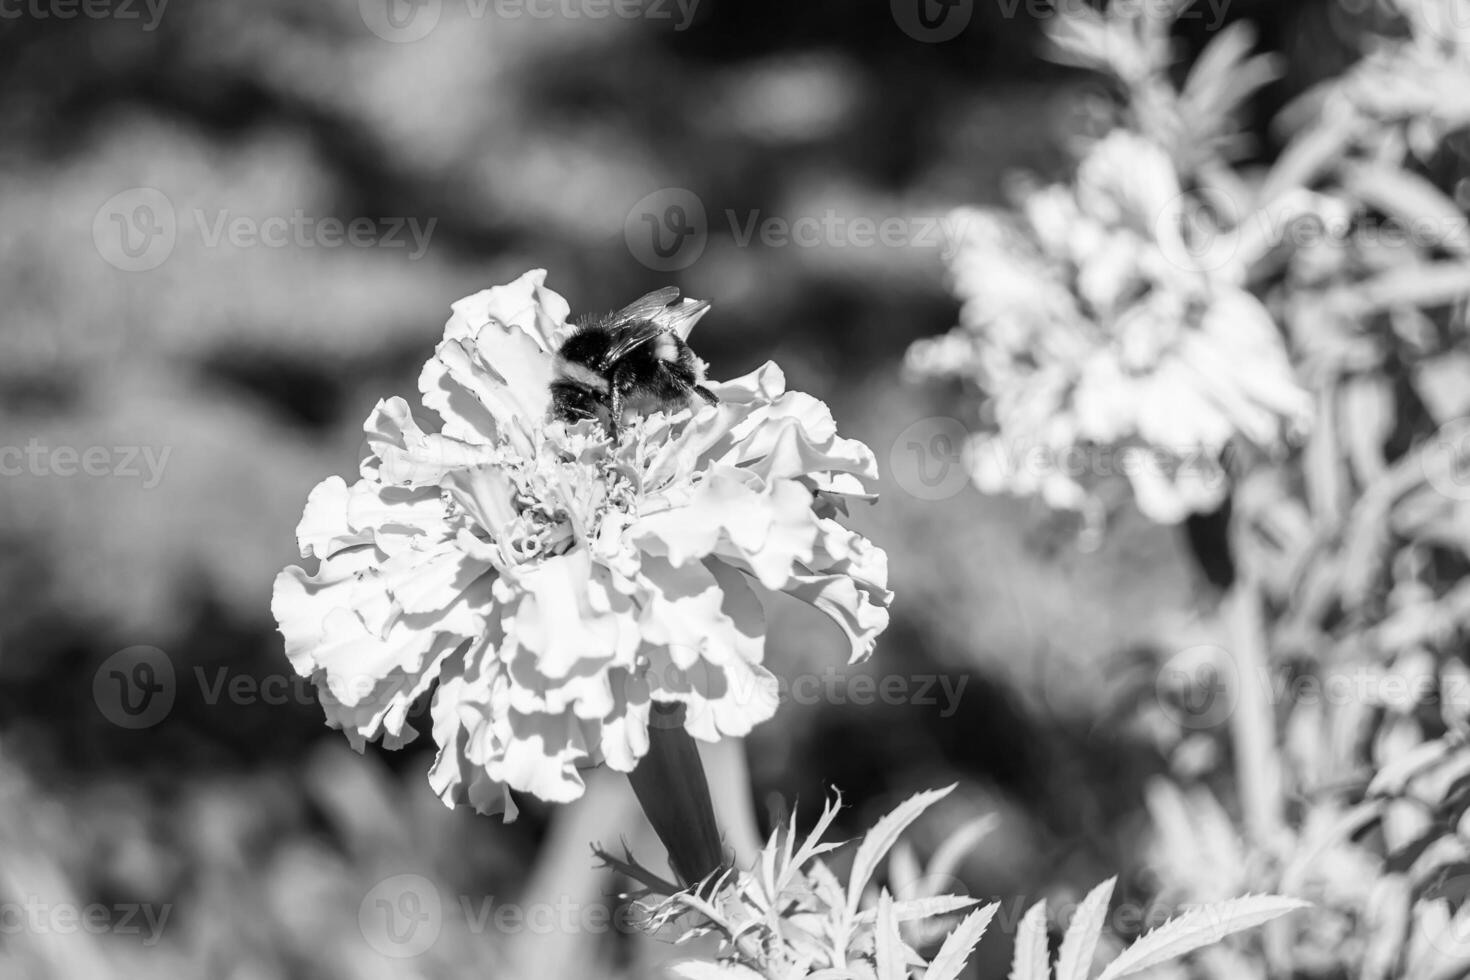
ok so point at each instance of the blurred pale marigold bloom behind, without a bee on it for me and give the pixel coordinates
(1105, 346)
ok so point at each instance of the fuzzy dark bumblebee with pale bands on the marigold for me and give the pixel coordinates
(631, 362)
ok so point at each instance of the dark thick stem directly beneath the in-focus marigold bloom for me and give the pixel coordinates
(671, 787)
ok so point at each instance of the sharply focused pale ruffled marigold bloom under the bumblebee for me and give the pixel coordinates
(555, 586)
